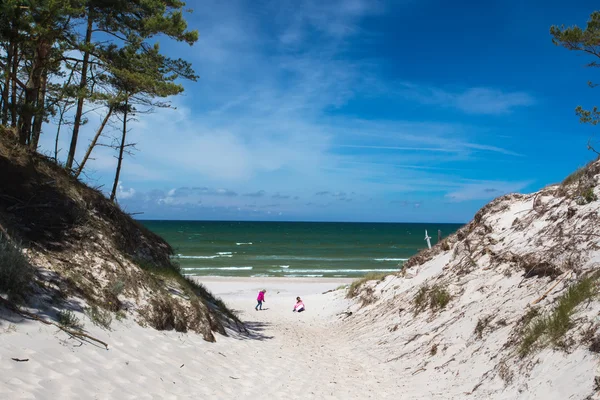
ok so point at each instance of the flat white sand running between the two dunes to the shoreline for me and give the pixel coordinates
(286, 356)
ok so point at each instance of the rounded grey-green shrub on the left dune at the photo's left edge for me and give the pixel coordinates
(16, 274)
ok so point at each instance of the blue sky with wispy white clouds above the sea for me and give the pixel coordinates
(358, 110)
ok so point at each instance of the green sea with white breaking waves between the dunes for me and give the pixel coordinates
(294, 249)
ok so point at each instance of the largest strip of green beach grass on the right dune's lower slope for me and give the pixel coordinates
(551, 328)
